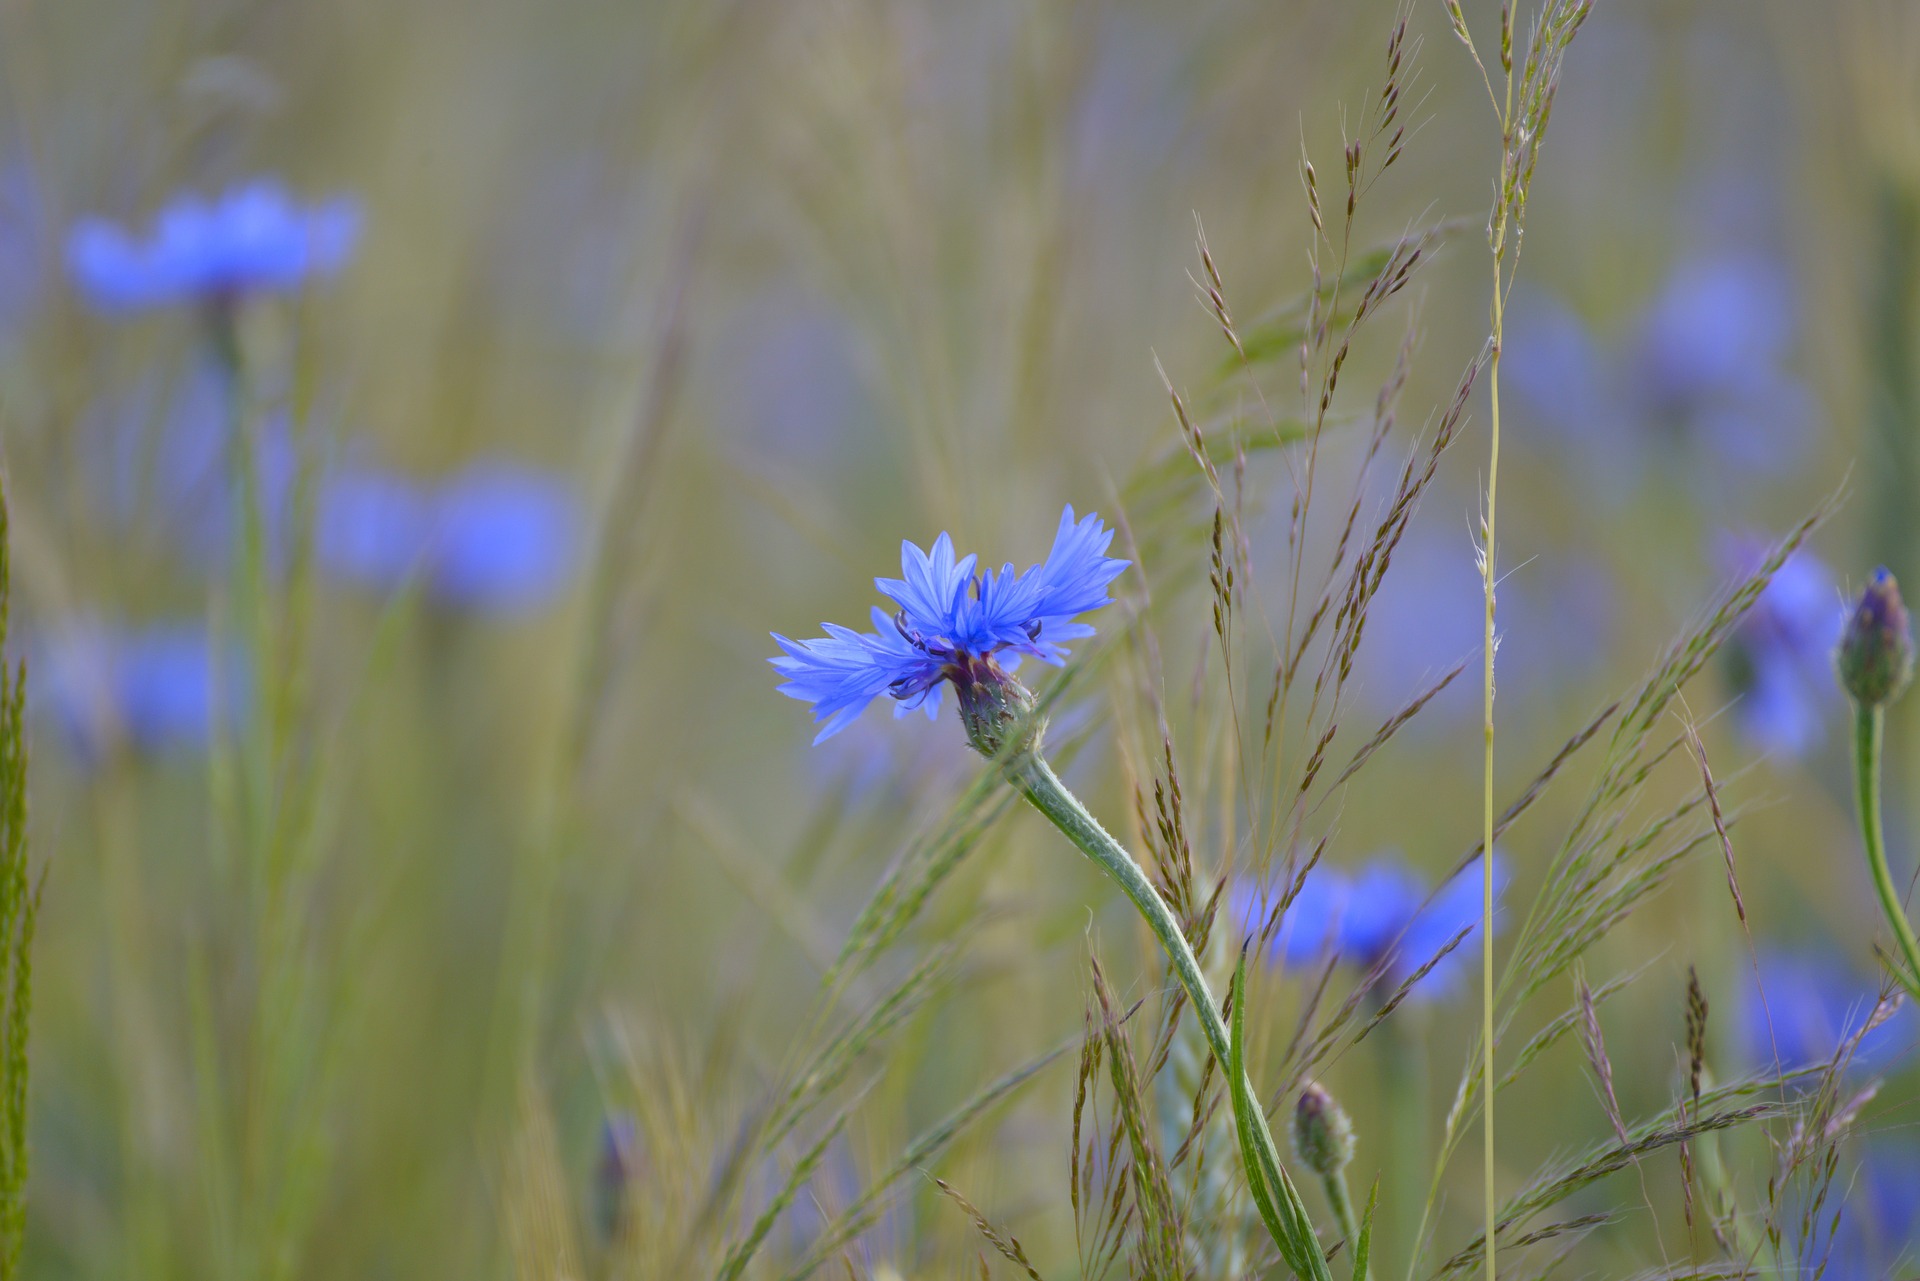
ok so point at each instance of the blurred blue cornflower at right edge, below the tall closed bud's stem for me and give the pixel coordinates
(1806, 1005)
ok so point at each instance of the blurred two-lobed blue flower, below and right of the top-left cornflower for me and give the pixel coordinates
(492, 539)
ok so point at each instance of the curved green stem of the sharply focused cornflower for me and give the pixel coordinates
(1036, 781)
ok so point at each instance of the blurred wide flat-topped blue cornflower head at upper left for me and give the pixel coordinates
(251, 241)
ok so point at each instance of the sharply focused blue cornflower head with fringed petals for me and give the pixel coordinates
(955, 625)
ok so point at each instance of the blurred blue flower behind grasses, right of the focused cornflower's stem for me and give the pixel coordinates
(1381, 917)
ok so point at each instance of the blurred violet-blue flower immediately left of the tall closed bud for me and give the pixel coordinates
(1781, 658)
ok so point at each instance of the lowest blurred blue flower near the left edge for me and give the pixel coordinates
(158, 689)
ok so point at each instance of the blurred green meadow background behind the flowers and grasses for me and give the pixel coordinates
(767, 289)
